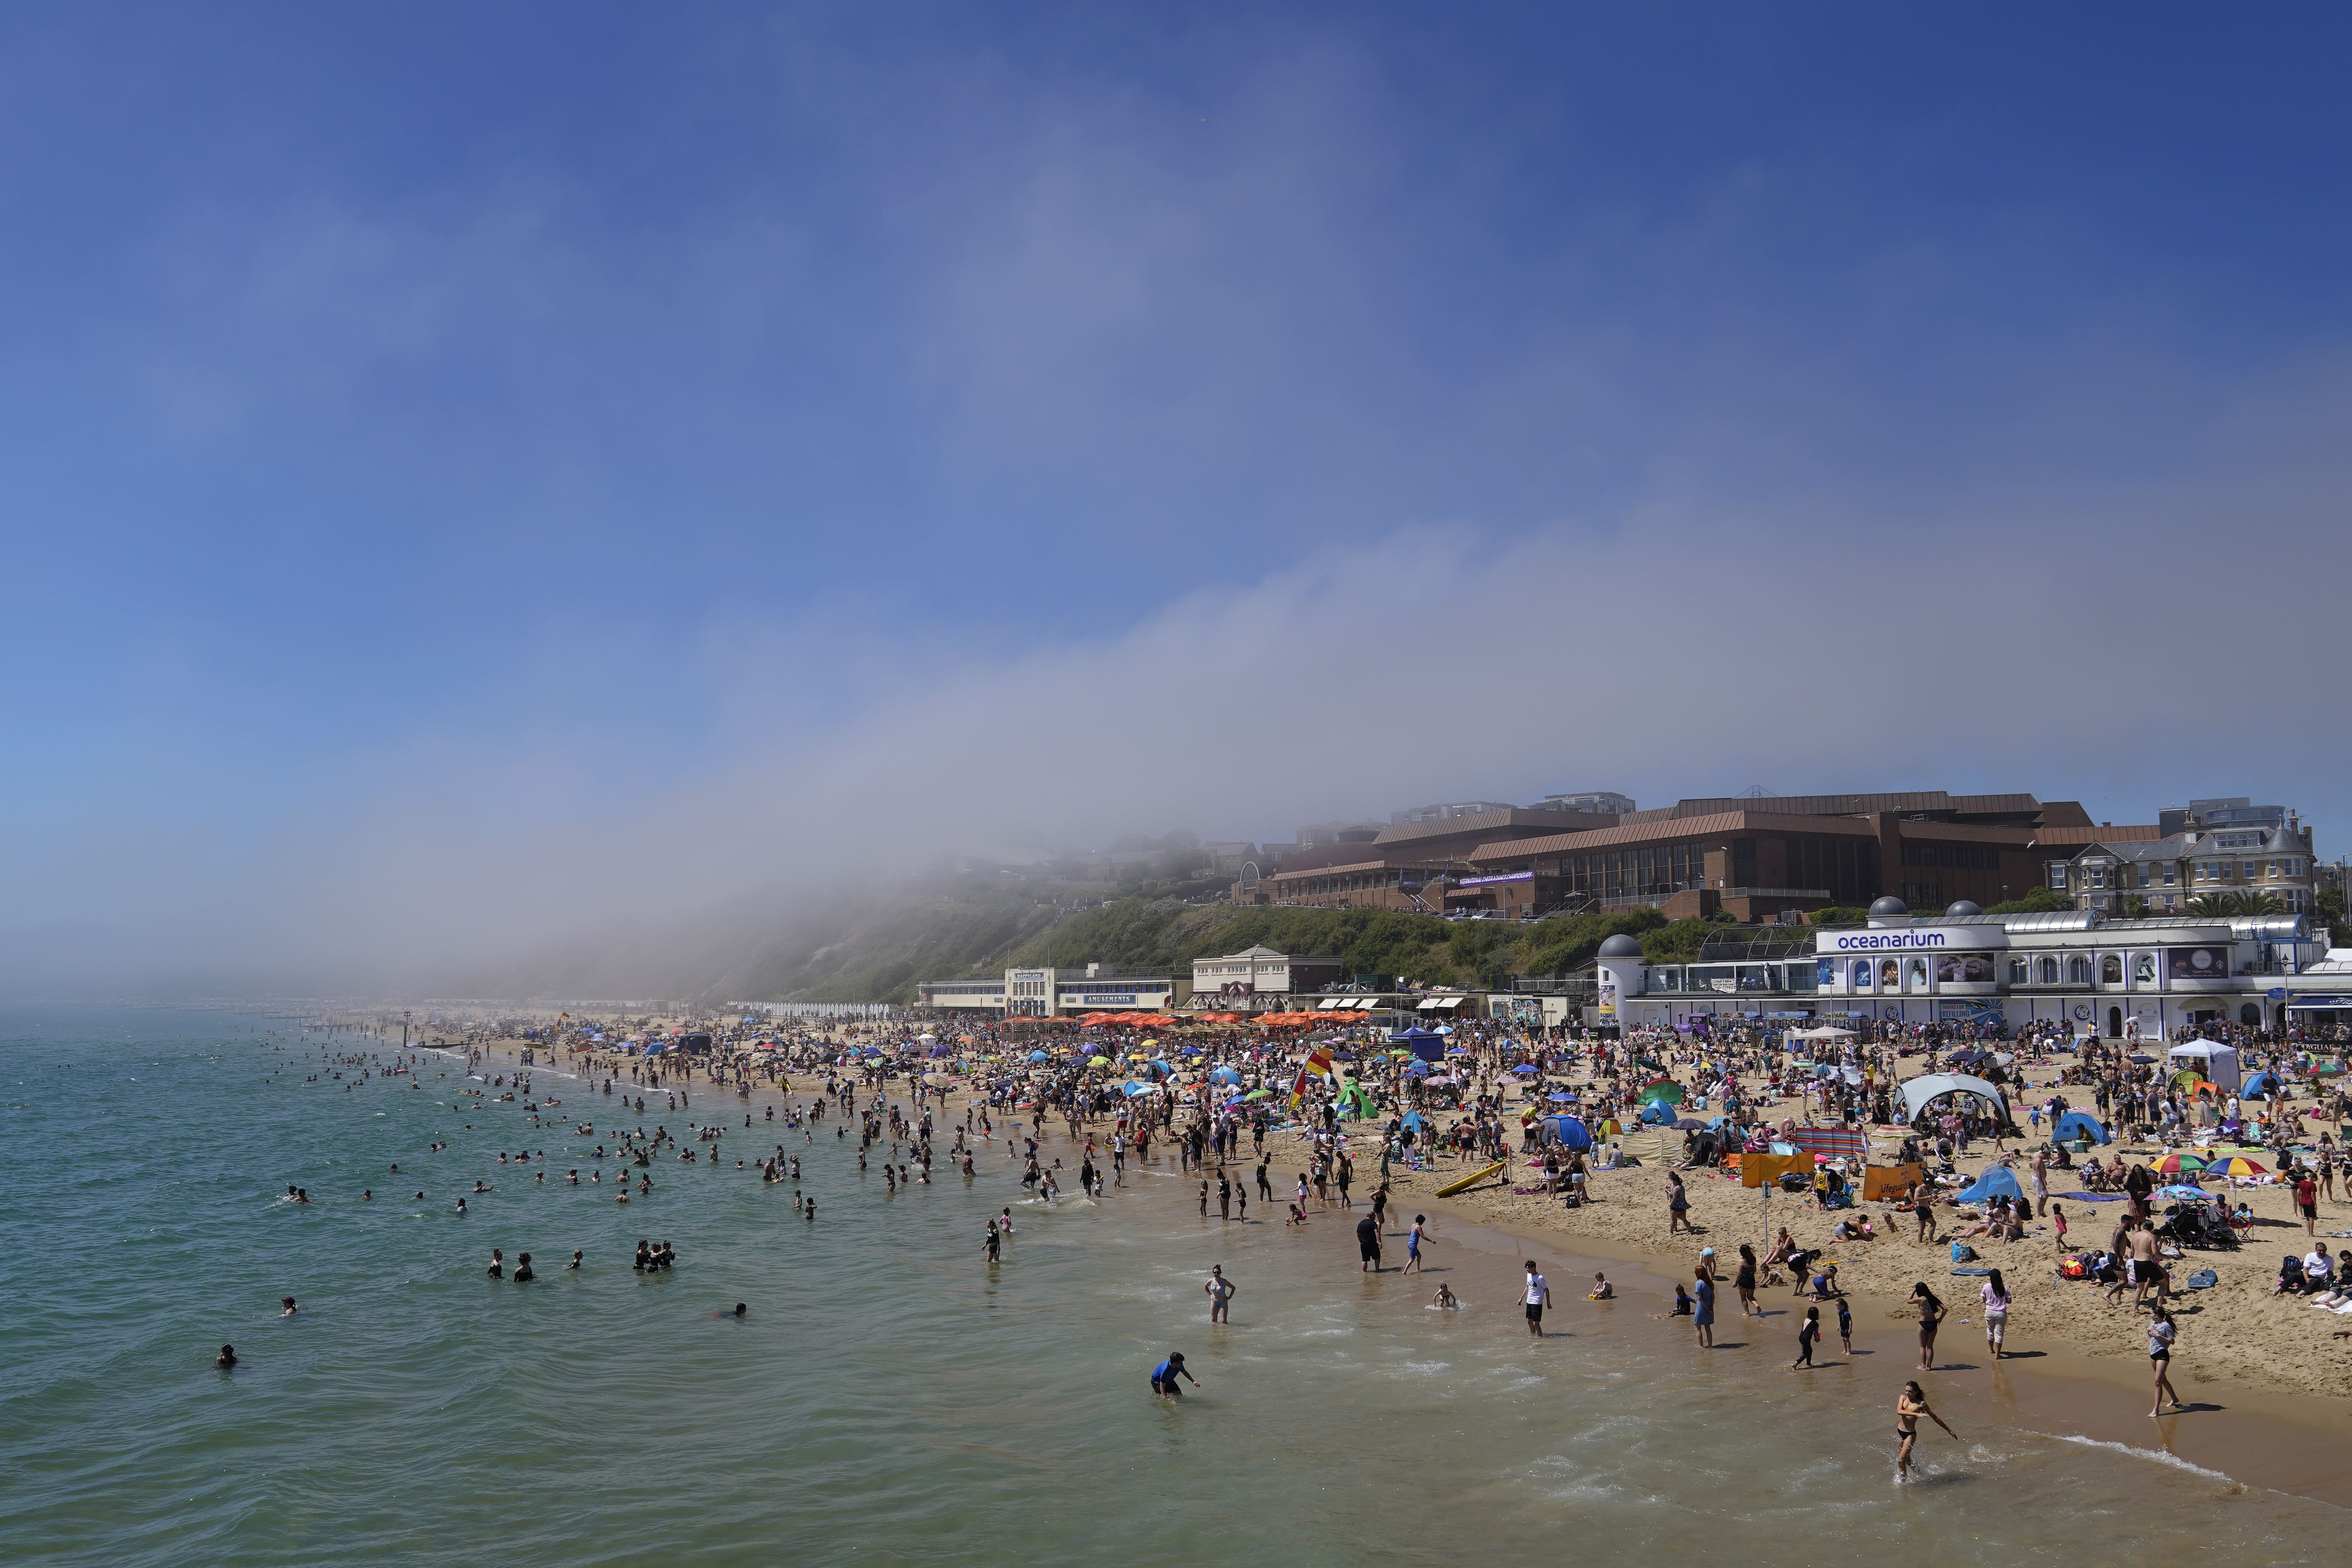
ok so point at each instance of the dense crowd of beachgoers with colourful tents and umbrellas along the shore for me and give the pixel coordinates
(1222, 1106)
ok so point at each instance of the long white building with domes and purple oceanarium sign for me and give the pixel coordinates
(2102, 977)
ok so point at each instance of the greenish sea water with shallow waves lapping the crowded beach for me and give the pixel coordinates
(888, 1400)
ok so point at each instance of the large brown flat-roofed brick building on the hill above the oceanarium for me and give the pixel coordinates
(1763, 859)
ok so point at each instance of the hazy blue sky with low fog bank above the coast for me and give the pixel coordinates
(472, 434)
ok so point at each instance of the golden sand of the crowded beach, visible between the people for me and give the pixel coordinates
(2261, 1374)
